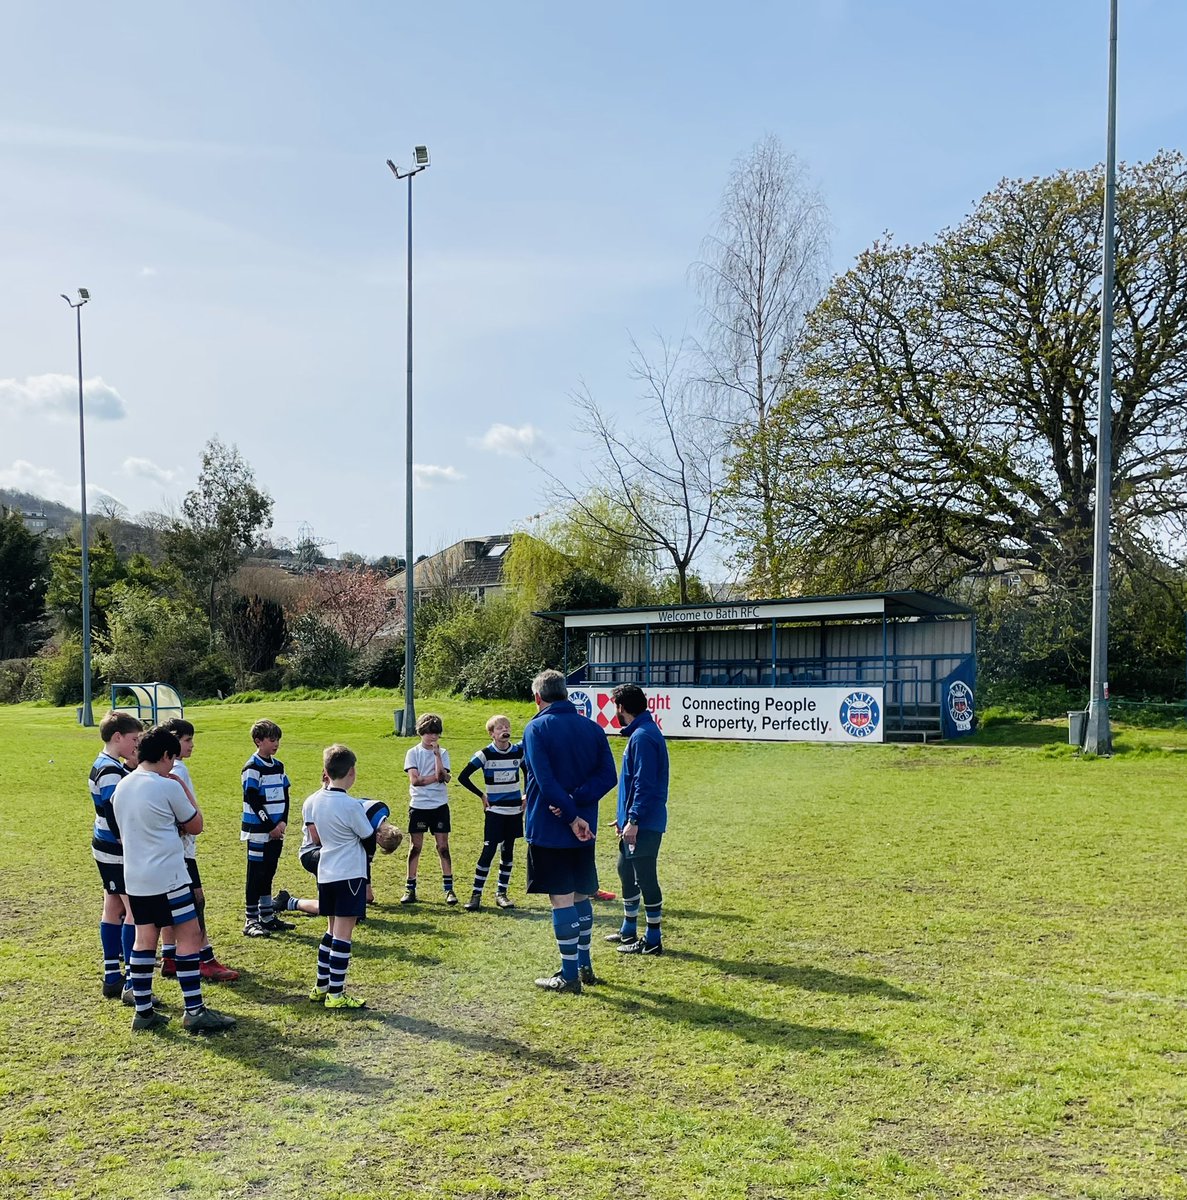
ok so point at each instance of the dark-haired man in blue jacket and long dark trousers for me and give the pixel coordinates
(642, 821)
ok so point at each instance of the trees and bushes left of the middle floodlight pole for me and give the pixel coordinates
(193, 611)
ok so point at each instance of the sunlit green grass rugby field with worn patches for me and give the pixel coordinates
(891, 973)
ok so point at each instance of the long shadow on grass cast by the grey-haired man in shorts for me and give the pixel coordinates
(763, 1030)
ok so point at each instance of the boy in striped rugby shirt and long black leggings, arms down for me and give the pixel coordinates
(266, 817)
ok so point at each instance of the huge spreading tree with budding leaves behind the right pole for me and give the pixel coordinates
(945, 410)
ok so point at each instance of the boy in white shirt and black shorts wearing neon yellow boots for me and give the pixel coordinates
(337, 823)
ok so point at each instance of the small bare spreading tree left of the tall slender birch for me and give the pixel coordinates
(660, 483)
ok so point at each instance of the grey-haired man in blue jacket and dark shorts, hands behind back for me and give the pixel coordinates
(569, 770)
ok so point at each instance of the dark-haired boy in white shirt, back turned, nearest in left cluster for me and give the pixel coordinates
(151, 809)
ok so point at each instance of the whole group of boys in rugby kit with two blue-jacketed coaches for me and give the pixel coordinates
(147, 820)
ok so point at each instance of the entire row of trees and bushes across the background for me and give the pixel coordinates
(925, 419)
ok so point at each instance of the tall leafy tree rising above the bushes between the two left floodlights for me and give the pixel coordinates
(221, 521)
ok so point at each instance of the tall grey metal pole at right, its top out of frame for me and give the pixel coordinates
(1099, 739)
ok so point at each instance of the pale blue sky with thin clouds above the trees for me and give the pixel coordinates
(215, 176)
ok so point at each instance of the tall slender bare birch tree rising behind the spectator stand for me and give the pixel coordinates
(760, 274)
